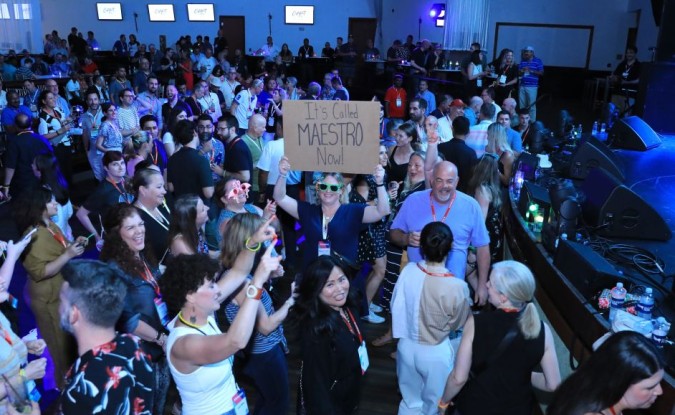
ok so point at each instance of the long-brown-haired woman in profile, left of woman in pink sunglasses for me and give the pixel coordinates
(186, 233)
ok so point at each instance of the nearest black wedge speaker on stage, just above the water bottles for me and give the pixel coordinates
(587, 270)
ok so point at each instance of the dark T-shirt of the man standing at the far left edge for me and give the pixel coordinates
(21, 150)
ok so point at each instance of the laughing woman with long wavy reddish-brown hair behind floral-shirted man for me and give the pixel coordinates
(145, 314)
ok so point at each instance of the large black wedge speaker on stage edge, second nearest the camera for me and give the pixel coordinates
(618, 212)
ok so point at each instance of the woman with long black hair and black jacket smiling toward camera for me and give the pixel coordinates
(331, 340)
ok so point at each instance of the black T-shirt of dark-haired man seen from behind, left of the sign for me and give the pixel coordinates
(189, 172)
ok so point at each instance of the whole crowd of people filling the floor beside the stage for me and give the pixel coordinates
(196, 209)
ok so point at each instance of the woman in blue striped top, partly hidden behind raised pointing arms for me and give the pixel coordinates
(265, 360)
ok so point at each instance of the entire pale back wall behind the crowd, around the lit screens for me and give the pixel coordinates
(611, 19)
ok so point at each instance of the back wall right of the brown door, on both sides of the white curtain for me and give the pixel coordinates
(610, 18)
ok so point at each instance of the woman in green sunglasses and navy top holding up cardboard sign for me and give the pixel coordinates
(331, 226)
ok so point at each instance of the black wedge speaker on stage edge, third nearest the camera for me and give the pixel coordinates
(591, 154)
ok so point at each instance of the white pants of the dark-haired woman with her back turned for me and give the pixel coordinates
(422, 372)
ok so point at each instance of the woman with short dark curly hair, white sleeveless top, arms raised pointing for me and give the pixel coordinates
(200, 356)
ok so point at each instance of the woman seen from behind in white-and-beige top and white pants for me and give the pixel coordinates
(428, 307)
